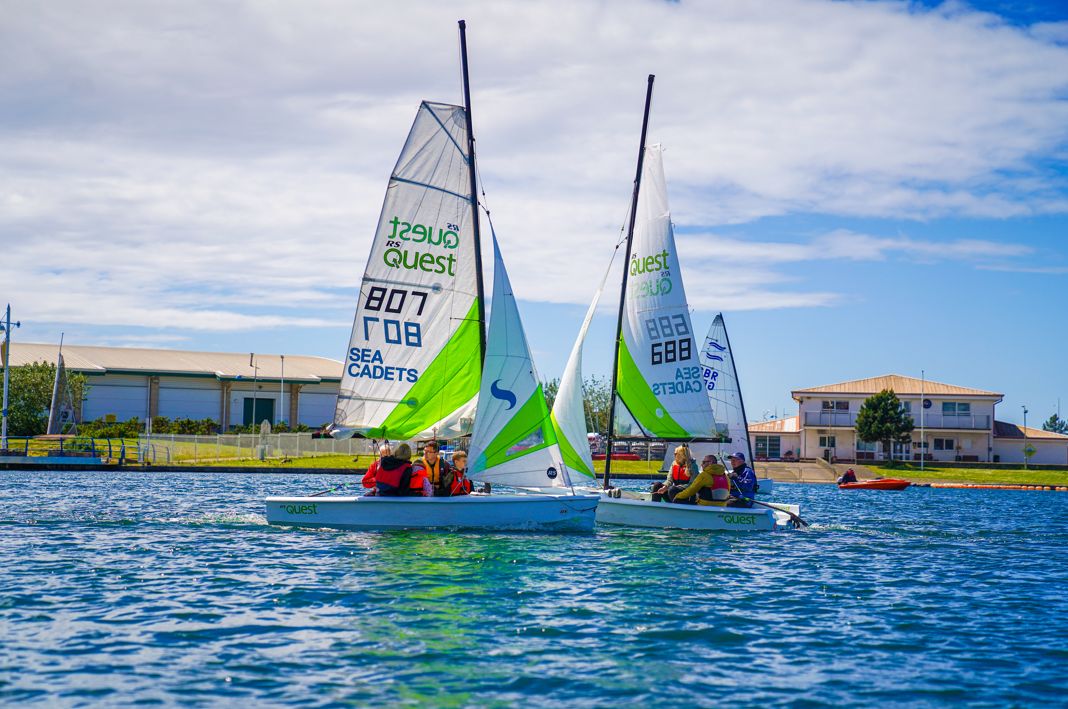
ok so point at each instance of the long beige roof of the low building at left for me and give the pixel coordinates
(300, 369)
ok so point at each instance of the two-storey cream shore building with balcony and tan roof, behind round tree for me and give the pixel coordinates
(959, 426)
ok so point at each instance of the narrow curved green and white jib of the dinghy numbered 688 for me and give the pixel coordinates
(569, 409)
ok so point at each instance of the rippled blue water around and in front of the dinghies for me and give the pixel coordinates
(133, 588)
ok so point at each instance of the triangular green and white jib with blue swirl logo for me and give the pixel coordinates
(514, 442)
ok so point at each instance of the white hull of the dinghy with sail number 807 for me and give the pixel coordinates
(564, 513)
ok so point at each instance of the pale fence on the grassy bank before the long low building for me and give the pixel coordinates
(166, 449)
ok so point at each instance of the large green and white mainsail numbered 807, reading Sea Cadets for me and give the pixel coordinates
(412, 368)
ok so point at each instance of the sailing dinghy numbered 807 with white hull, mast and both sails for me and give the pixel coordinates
(419, 365)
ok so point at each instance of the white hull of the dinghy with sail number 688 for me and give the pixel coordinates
(663, 515)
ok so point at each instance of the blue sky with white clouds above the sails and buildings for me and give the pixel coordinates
(862, 188)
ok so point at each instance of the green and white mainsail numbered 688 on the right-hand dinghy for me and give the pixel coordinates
(659, 373)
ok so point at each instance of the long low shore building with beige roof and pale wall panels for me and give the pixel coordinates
(128, 383)
